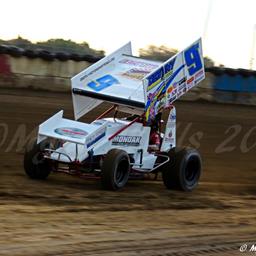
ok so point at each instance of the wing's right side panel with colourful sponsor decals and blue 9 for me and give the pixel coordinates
(173, 78)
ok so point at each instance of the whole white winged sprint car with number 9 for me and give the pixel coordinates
(111, 149)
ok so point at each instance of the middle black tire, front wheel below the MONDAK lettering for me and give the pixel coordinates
(115, 170)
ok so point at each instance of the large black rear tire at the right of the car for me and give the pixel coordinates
(183, 170)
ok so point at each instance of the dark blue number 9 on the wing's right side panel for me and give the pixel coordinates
(193, 59)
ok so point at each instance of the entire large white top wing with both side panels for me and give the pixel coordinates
(135, 83)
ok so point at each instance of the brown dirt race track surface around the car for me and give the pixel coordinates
(69, 216)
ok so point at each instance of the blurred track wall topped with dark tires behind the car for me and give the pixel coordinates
(52, 71)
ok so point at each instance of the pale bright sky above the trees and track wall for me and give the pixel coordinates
(226, 26)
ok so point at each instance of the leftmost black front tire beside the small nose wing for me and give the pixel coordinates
(36, 167)
